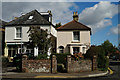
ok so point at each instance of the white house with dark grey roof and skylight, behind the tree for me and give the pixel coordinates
(16, 36)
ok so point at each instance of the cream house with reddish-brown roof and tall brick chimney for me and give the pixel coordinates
(73, 37)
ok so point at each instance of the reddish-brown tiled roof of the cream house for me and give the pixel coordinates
(73, 25)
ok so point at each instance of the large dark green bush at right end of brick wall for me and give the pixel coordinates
(102, 60)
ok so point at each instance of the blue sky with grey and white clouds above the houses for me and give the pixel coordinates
(101, 16)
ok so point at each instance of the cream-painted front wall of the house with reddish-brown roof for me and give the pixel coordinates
(66, 37)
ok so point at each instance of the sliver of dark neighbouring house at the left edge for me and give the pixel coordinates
(2, 36)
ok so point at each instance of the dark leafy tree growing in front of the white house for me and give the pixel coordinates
(38, 37)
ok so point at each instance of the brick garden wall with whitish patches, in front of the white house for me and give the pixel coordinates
(38, 65)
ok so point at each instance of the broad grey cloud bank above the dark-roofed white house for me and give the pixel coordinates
(60, 10)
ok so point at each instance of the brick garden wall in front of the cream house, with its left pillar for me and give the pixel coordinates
(78, 66)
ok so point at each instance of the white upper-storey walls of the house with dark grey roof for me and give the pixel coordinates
(10, 33)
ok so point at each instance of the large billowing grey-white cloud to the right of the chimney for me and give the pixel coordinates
(99, 16)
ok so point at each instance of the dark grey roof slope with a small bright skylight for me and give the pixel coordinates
(31, 18)
